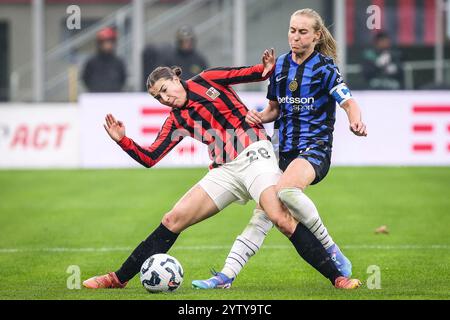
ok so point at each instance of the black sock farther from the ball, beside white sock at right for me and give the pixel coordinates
(313, 252)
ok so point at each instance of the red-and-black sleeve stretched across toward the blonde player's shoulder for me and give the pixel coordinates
(236, 75)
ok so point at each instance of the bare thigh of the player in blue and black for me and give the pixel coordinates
(299, 174)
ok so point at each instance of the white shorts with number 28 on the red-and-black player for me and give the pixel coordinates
(246, 177)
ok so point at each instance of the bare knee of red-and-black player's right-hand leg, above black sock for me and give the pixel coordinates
(276, 212)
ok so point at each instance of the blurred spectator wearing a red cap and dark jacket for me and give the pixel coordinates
(105, 72)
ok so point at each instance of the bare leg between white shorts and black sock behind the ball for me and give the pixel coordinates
(195, 206)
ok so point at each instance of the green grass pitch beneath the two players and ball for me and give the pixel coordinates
(82, 211)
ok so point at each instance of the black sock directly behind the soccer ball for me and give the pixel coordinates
(160, 241)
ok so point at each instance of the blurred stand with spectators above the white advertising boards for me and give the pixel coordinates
(119, 42)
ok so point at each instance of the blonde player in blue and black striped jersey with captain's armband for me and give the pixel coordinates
(302, 94)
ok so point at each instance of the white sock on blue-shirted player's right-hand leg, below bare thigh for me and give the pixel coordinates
(304, 210)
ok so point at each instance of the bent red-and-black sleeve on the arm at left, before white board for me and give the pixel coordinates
(168, 137)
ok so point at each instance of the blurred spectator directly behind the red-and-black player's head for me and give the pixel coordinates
(185, 54)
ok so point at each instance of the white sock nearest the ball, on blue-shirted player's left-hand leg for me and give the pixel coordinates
(247, 244)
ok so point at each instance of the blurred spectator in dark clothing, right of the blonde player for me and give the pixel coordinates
(382, 65)
